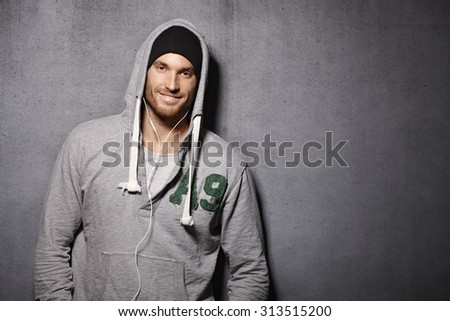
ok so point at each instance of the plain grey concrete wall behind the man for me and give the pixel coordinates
(375, 73)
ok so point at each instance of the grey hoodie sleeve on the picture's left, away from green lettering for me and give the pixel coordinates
(60, 220)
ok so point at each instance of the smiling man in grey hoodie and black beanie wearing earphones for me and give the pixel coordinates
(151, 227)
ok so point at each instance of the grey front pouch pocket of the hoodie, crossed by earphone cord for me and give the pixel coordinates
(161, 278)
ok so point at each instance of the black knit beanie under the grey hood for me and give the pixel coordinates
(181, 41)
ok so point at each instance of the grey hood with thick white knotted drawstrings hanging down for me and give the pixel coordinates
(131, 115)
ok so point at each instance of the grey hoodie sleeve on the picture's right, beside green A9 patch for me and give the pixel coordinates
(243, 244)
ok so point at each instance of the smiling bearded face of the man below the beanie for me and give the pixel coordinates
(170, 87)
